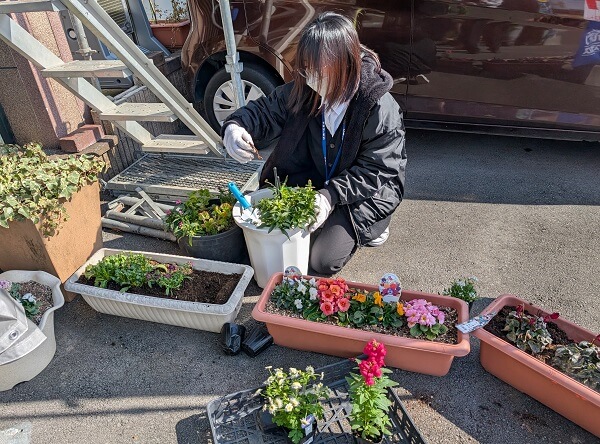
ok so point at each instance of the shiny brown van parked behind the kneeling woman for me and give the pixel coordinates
(526, 67)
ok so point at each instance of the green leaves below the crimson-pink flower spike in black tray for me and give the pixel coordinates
(370, 405)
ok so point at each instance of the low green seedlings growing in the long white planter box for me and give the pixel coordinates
(136, 270)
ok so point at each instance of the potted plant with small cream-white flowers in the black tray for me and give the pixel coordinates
(292, 397)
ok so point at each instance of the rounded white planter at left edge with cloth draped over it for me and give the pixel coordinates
(30, 365)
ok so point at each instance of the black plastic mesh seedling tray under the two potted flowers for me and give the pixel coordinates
(234, 418)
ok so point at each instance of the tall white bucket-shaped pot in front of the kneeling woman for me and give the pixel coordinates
(272, 252)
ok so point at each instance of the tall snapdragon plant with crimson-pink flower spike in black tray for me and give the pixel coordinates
(368, 395)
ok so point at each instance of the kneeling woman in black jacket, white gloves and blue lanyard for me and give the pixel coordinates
(339, 127)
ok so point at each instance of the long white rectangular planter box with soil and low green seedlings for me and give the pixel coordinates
(200, 316)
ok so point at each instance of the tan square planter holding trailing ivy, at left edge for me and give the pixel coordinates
(24, 247)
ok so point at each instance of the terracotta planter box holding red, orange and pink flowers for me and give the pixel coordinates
(416, 355)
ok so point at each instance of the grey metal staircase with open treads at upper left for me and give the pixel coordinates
(72, 75)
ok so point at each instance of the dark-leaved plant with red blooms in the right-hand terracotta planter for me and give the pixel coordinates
(527, 332)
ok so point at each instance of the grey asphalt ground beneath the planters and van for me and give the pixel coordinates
(521, 215)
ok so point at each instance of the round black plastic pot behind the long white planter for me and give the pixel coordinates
(229, 246)
